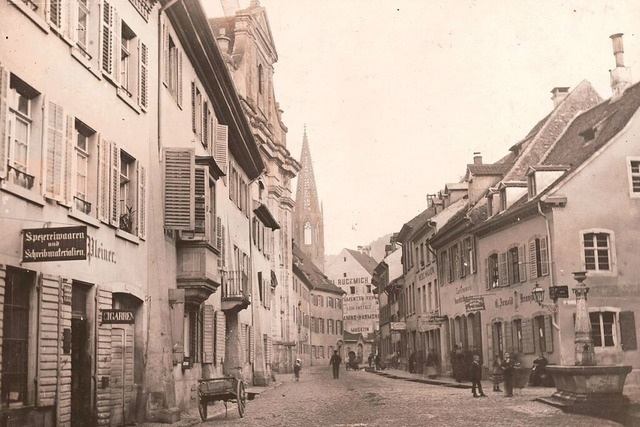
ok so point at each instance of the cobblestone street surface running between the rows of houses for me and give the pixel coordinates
(365, 399)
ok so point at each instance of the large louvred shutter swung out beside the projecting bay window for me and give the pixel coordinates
(179, 188)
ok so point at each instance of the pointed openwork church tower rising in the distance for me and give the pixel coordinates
(308, 223)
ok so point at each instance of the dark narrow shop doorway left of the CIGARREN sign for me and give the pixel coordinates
(80, 358)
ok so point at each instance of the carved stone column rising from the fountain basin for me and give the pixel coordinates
(584, 352)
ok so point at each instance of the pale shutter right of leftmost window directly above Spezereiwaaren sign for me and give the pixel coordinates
(55, 144)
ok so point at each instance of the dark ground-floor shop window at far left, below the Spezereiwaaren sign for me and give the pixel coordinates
(16, 337)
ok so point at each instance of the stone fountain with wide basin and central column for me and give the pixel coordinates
(587, 387)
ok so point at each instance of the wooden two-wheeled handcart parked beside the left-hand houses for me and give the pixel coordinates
(227, 389)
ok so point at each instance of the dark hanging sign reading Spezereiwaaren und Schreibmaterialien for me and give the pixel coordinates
(54, 244)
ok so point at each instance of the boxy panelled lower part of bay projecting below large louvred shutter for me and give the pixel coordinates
(197, 270)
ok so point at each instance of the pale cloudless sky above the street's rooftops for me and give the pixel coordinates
(397, 95)
